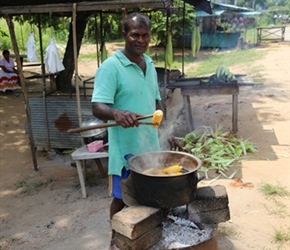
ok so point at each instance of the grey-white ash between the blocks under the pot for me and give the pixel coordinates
(179, 236)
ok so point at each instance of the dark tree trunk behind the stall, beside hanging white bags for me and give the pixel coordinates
(63, 80)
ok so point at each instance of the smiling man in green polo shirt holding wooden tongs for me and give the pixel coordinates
(126, 87)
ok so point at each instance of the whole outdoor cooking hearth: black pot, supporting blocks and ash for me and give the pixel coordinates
(165, 208)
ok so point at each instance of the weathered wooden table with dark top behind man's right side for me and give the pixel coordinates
(193, 87)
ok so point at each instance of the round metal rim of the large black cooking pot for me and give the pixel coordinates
(198, 161)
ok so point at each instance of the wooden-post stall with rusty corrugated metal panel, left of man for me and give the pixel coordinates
(50, 116)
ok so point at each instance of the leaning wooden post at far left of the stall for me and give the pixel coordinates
(24, 90)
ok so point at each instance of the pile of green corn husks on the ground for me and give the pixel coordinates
(218, 150)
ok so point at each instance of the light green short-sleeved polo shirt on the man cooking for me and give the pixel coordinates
(121, 84)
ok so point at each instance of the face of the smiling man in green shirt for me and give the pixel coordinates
(137, 39)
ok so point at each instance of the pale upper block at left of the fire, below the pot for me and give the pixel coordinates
(134, 221)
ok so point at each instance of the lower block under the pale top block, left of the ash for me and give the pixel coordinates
(143, 242)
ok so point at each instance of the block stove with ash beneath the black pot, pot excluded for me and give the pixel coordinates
(140, 227)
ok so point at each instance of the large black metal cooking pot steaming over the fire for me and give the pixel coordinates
(164, 191)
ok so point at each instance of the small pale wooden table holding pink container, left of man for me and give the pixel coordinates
(82, 154)
